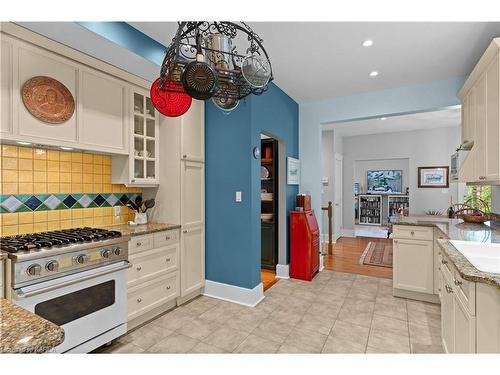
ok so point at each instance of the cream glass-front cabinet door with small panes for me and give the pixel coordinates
(144, 155)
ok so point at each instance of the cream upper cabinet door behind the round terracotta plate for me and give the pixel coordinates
(34, 62)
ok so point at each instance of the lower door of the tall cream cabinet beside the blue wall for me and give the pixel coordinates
(192, 260)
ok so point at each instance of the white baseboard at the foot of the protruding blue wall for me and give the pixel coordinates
(236, 294)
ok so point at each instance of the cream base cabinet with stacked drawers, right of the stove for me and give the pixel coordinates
(154, 275)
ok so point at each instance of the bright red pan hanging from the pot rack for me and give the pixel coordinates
(170, 100)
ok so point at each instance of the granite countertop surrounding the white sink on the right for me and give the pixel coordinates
(457, 229)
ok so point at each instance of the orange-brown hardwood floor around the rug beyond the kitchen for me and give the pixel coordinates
(346, 254)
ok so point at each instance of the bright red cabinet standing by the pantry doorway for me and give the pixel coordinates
(304, 245)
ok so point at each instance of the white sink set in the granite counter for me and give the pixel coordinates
(484, 256)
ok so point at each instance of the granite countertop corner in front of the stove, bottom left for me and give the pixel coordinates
(24, 332)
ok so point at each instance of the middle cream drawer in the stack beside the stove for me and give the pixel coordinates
(152, 263)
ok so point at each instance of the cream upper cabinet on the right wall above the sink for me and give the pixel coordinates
(480, 98)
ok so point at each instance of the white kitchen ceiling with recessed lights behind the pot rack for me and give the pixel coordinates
(318, 60)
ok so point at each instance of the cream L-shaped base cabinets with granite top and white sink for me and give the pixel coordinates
(430, 264)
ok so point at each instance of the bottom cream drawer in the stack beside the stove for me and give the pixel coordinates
(152, 294)
